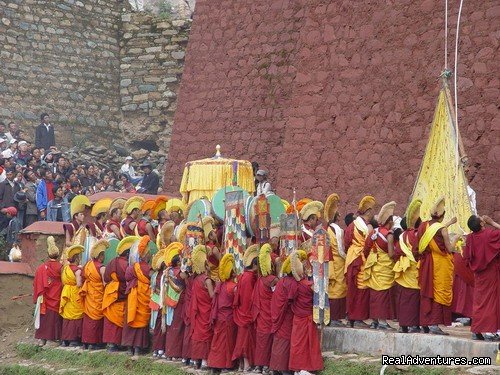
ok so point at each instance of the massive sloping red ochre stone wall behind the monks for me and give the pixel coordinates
(337, 96)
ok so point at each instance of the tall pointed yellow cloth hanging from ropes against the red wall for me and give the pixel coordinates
(442, 172)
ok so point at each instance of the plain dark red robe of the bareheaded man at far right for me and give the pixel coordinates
(482, 253)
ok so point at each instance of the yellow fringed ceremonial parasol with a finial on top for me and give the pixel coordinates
(202, 178)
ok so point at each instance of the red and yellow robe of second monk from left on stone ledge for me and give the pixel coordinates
(357, 299)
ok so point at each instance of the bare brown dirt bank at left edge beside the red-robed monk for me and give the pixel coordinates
(16, 316)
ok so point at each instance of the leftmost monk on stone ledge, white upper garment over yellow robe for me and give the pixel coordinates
(337, 287)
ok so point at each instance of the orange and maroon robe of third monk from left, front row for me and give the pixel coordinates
(92, 293)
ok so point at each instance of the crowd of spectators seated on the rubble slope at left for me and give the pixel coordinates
(38, 181)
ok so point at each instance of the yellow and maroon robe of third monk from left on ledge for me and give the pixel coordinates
(382, 305)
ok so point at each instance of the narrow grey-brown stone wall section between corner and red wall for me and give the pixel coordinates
(151, 64)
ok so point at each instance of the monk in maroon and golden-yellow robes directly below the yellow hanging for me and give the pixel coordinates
(436, 270)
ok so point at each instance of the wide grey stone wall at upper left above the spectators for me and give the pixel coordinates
(61, 57)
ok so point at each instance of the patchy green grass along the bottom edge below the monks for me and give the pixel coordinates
(80, 362)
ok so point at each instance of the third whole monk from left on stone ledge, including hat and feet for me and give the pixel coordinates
(379, 274)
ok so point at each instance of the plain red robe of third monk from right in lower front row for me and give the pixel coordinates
(261, 310)
